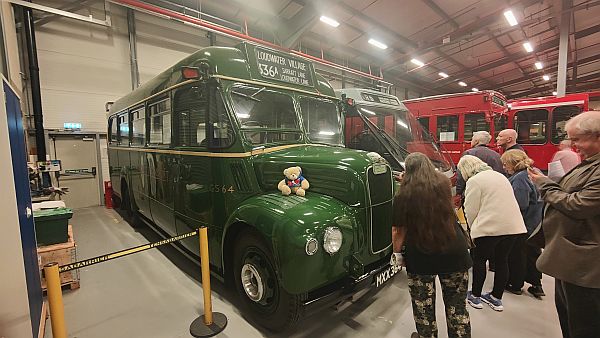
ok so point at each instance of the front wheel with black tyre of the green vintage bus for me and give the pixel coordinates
(258, 287)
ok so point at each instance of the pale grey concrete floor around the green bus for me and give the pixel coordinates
(152, 294)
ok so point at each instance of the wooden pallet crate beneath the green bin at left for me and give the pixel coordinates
(61, 253)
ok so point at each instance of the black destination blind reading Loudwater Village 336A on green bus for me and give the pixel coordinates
(281, 67)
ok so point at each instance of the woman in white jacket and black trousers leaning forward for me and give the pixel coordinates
(495, 219)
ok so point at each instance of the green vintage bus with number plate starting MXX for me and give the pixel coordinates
(205, 143)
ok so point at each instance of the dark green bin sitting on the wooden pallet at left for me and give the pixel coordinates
(51, 226)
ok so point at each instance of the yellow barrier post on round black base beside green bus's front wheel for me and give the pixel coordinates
(210, 323)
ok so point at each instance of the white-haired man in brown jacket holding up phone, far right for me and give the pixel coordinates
(571, 227)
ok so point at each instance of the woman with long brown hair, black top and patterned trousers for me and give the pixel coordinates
(434, 245)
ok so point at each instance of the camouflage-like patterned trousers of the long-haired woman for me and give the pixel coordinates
(454, 291)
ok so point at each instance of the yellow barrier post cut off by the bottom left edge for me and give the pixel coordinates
(57, 310)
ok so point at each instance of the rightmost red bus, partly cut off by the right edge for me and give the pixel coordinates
(540, 122)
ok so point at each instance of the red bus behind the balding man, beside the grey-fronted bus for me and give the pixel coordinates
(452, 118)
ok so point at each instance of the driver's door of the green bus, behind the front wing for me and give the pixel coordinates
(194, 181)
